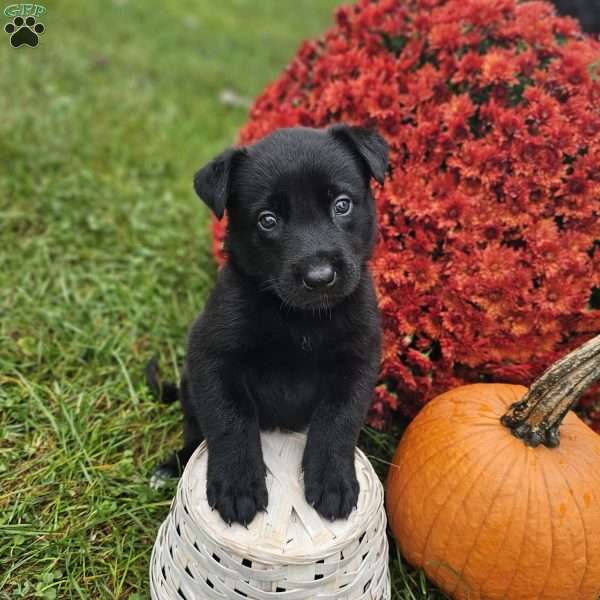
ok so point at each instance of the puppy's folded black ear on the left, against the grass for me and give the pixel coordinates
(213, 181)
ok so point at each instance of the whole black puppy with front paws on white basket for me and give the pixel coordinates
(290, 335)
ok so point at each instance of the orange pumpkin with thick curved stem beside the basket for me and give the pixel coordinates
(490, 502)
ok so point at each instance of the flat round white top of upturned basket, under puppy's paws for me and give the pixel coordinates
(290, 530)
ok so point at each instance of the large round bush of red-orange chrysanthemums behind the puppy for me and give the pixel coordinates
(488, 263)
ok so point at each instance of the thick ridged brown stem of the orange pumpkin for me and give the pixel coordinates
(536, 419)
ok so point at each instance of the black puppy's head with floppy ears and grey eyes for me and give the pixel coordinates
(301, 217)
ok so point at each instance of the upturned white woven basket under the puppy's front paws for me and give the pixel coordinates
(287, 552)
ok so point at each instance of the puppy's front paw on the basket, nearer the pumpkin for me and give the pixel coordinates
(331, 490)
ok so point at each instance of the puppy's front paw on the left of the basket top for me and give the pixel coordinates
(238, 493)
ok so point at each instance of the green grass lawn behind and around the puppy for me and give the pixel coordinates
(104, 261)
